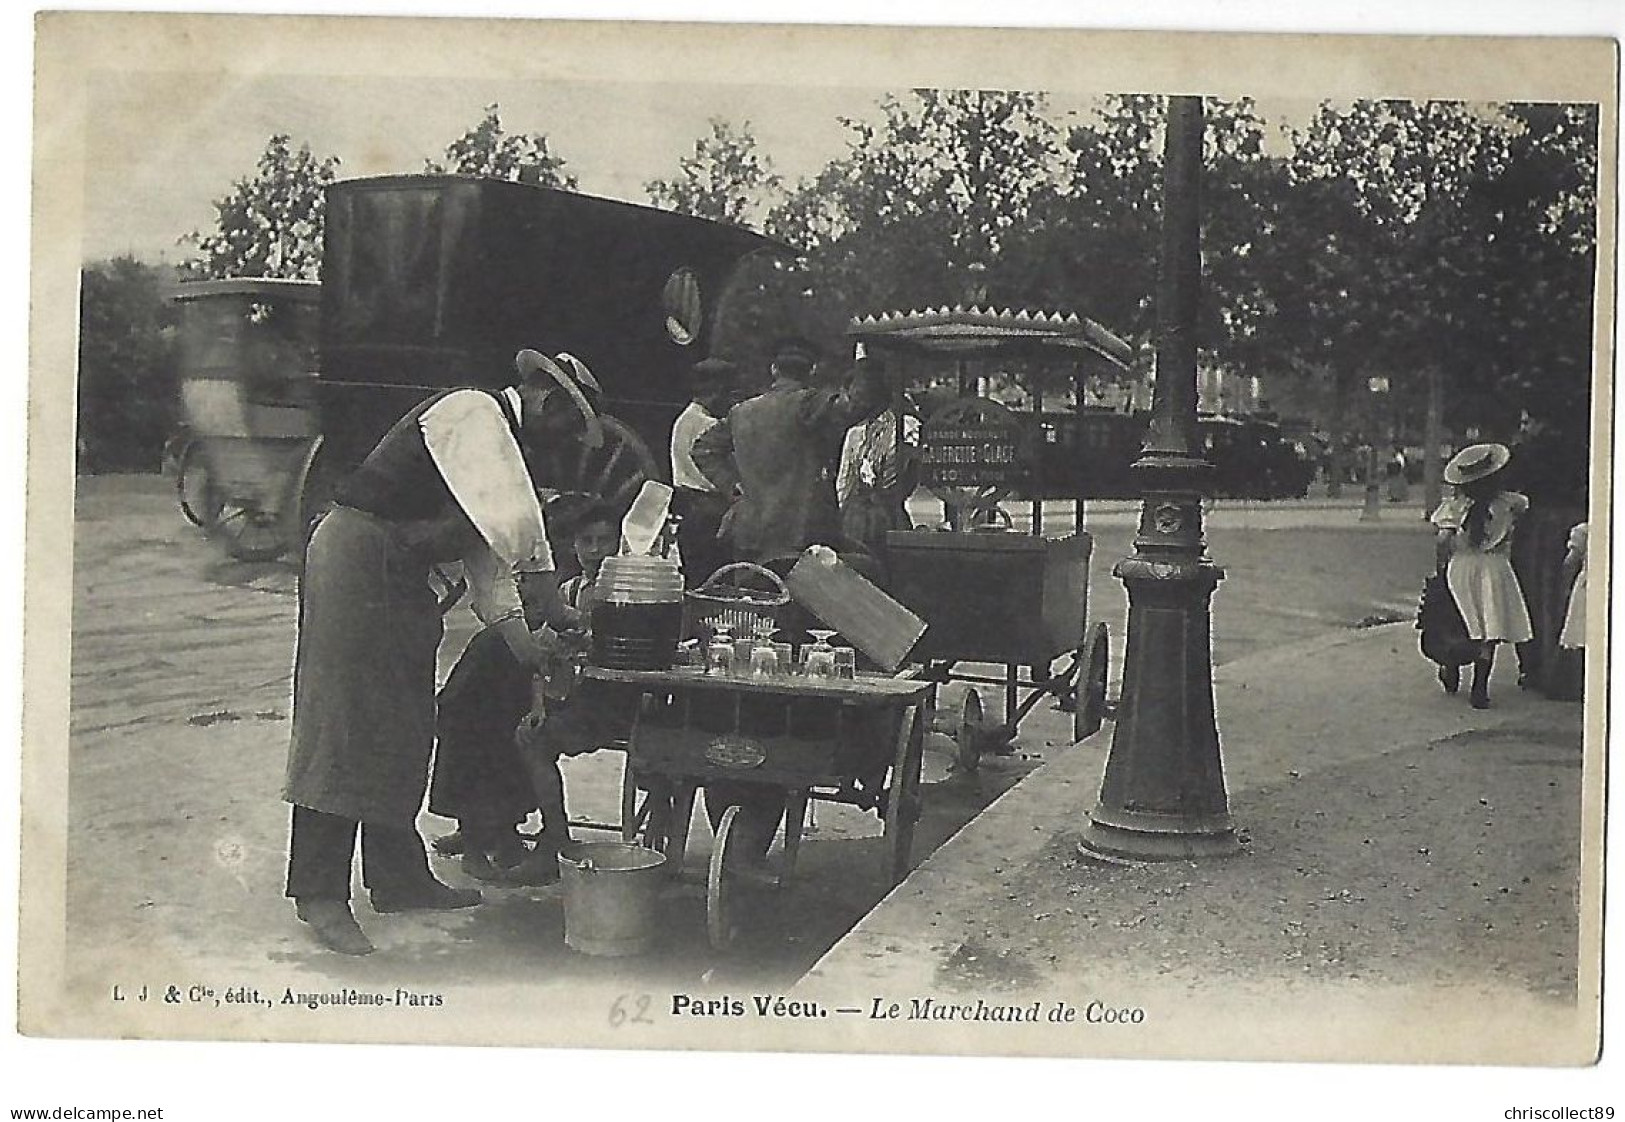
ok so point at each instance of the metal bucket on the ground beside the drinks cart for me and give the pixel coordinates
(610, 897)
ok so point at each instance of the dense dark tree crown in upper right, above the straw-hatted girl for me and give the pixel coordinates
(1454, 237)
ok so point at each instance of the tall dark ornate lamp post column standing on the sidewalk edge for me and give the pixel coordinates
(1164, 794)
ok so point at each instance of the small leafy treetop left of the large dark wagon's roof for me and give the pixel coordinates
(271, 224)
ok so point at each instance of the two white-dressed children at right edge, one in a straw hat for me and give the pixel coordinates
(1475, 539)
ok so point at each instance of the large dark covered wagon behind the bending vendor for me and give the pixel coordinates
(436, 282)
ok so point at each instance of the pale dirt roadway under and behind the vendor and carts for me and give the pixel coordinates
(180, 729)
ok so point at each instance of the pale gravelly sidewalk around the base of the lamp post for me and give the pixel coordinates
(1406, 889)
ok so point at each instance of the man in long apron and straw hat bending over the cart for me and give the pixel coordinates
(446, 484)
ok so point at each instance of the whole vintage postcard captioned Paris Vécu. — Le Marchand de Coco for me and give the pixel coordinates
(1133, 591)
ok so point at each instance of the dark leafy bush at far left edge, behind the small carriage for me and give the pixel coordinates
(128, 367)
